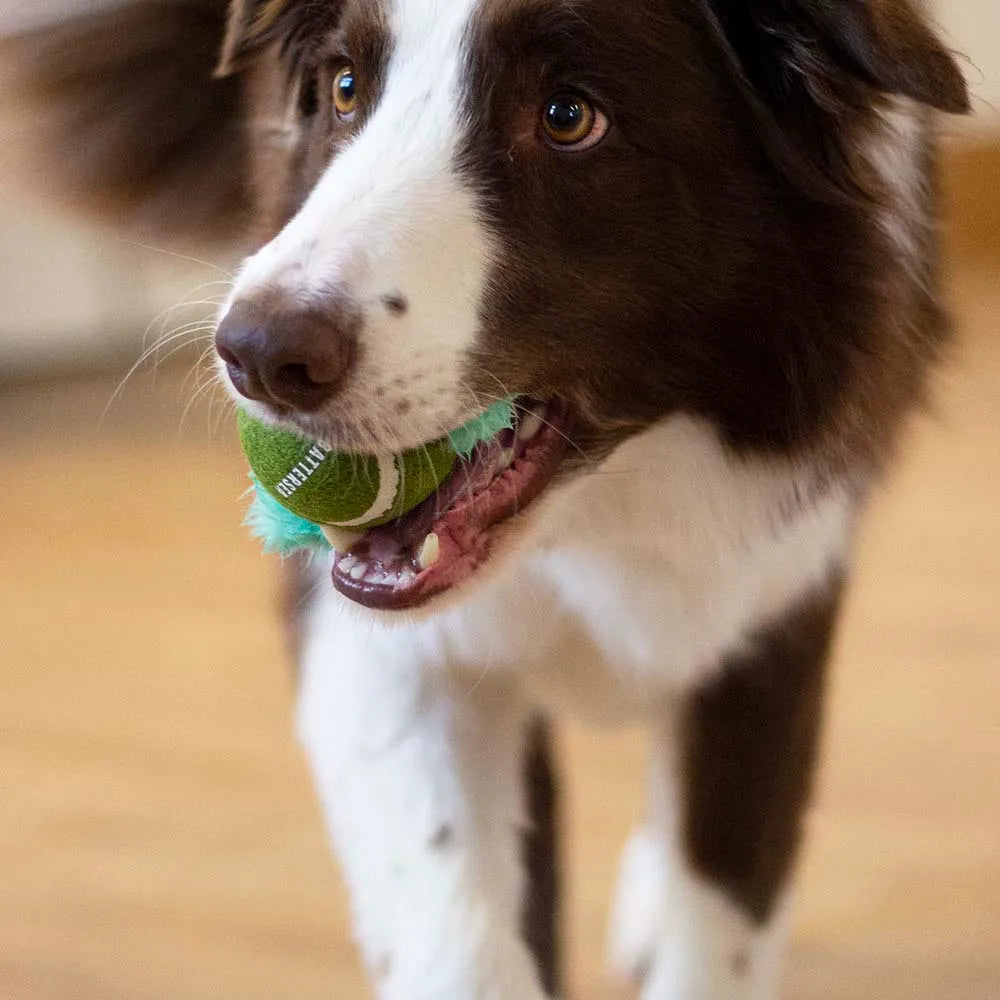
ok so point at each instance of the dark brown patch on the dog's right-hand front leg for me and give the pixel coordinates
(749, 751)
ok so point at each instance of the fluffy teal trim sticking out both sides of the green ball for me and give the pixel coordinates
(283, 532)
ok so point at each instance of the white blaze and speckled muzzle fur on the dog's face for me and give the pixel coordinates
(392, 216)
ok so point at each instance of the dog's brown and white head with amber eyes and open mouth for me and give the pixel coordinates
(611, 211)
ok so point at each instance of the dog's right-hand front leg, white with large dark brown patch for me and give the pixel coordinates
(703, 901)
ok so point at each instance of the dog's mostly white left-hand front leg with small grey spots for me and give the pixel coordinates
(420, 775)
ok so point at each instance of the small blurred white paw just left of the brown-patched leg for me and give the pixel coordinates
(637, 911)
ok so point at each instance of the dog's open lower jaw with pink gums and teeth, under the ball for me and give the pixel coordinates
(442, 542)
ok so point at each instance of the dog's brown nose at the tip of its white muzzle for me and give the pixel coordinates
(287, 358)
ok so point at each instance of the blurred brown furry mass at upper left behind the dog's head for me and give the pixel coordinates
(117, 112)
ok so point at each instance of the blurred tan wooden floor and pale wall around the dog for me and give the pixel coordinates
(158, 836)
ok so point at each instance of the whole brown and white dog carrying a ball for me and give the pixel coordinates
(696, 238)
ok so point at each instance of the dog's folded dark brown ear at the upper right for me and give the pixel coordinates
(829, 47)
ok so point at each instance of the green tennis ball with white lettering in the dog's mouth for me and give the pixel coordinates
(348, 491)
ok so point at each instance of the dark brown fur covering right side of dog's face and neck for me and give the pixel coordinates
(760, 294)
